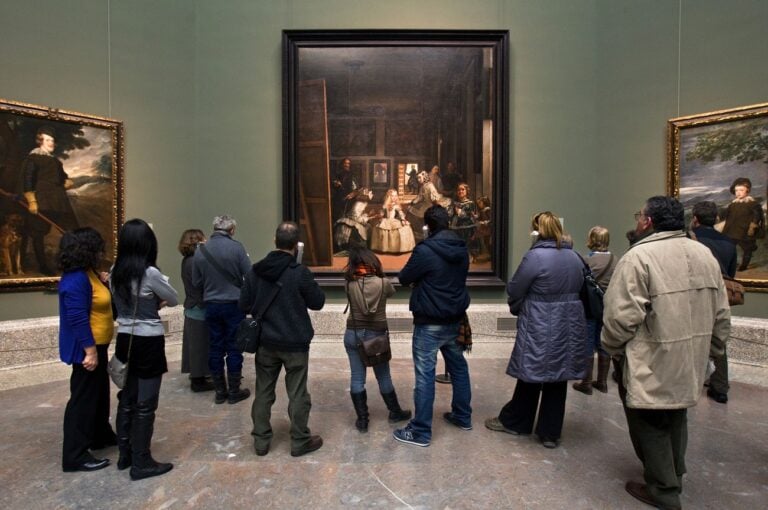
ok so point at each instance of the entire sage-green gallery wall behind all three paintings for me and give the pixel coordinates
(198, 85)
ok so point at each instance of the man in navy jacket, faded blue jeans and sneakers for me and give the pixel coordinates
(437, 272)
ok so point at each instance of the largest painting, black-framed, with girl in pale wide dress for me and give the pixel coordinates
(381, 124)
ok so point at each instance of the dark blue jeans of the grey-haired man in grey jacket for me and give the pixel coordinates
(223, 319)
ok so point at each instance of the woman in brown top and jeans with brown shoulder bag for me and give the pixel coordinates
(367, 292)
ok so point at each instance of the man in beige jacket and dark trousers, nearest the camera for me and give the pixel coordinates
(666, 313)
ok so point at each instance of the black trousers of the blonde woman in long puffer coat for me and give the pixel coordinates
(519, 413)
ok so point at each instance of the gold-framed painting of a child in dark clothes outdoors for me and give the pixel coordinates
(723, 157)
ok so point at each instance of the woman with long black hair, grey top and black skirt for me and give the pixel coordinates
(140, 290)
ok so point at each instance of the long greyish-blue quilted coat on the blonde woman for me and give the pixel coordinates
(551, 330)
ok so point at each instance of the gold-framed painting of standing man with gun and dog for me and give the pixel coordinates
(59, 170)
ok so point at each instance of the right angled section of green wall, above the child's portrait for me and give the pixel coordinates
(659, 60)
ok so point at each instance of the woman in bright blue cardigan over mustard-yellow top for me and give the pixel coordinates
(85, 331)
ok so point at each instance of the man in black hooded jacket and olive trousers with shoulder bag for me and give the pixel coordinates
(286, 332)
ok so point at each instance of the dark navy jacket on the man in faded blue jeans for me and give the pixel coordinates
(438, 270)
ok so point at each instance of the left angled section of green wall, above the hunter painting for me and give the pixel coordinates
(59, 54)
